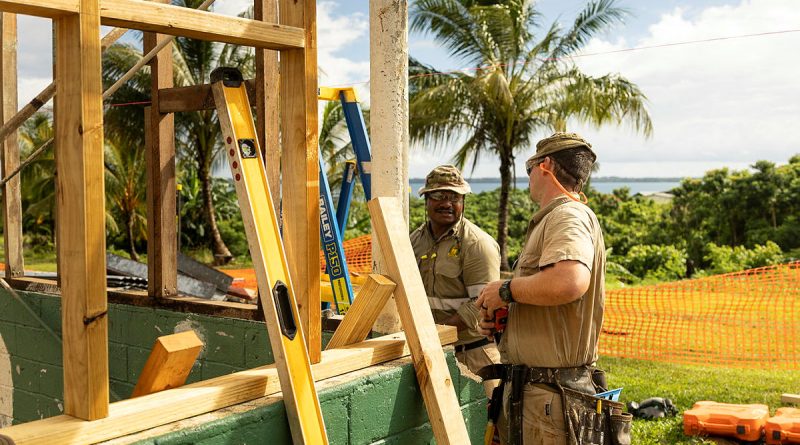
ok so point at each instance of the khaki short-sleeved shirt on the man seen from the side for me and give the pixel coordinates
(565, 335)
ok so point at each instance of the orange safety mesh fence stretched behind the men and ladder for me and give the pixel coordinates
(744, 319)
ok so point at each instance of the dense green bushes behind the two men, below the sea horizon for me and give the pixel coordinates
(739, 219)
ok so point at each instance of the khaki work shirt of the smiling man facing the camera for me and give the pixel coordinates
(455, 268)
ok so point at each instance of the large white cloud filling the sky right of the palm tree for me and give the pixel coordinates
(725, 102)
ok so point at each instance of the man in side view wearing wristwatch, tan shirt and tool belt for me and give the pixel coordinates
(555, 303)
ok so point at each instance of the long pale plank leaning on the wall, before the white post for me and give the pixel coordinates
(415, 314)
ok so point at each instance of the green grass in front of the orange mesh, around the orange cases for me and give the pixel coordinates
(685, 385)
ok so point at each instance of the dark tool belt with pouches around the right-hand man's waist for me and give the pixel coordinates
(588, 419)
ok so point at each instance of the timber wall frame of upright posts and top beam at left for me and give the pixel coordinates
(79, 152)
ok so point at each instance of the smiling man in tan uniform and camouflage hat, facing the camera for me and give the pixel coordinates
(456, 259)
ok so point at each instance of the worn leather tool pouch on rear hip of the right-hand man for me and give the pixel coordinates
(588, 423)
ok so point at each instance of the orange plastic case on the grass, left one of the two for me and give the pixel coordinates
(744, 422)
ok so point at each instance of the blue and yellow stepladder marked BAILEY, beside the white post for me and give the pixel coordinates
(332, 229)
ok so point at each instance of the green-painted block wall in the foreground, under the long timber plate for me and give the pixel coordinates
(382, 406)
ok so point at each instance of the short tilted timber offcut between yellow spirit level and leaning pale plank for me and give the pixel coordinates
(366, 307)
